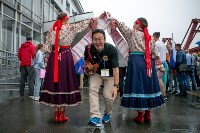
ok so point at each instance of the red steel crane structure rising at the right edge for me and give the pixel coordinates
(193, 29)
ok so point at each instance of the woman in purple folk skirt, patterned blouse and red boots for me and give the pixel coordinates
(60, 87)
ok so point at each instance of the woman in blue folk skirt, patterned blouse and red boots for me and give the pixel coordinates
(141, 90)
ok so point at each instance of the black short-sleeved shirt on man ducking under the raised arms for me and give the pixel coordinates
(109, 51)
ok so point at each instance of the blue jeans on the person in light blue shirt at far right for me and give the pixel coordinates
(191, 75)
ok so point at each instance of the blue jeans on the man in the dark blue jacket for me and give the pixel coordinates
(183, 81)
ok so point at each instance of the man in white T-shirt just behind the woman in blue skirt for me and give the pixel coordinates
(162, 49)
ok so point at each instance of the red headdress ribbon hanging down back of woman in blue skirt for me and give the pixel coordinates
(147, 45)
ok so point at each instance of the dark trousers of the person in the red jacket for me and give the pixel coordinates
(27, 72)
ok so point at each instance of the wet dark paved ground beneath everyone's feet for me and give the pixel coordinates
(178, 115)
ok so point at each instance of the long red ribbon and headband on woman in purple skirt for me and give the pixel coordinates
(57, 26)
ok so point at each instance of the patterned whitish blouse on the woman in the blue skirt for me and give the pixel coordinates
(136, 40)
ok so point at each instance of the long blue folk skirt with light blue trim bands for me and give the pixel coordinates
(141, 92)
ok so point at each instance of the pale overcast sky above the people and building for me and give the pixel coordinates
(166, 16)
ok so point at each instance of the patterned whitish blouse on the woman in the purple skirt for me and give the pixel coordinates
(66, 35)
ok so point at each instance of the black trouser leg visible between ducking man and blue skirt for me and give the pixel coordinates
(122, 74)
